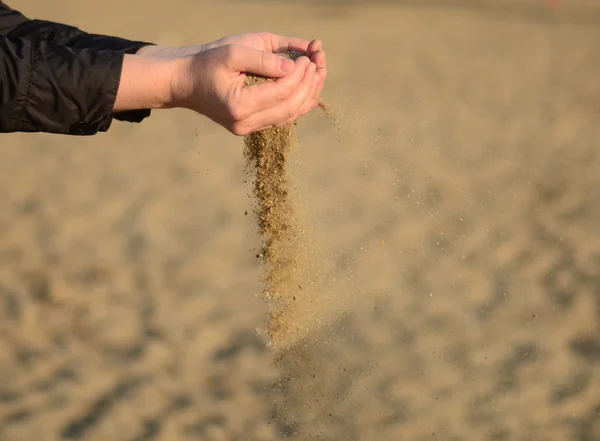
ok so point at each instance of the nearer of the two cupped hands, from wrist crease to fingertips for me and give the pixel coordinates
(212, 82)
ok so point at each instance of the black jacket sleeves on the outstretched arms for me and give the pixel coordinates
(56, 78)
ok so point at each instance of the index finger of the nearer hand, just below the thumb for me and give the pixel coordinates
(271, 93)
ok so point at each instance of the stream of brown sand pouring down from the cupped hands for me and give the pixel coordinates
(308, 296)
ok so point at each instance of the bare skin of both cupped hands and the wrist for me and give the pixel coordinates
(210, 79)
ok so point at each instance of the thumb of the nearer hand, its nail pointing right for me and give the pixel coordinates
(266, 64)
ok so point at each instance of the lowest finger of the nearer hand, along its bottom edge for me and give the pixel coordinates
(288, 109)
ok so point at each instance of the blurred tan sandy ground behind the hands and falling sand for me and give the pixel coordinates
(457, 210)
